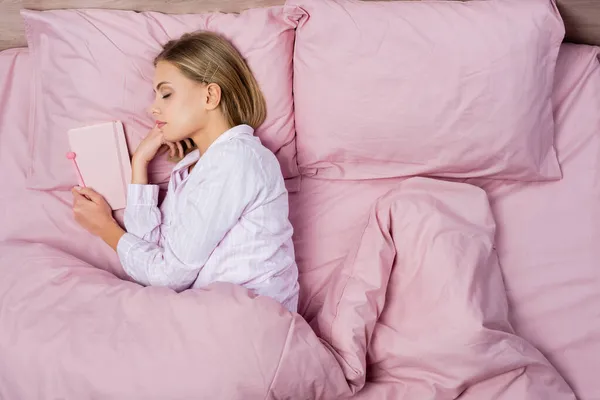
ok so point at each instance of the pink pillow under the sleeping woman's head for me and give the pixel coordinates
(96, 65)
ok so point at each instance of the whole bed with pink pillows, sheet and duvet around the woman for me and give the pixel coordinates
(415, 284)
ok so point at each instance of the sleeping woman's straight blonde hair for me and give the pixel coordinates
(209, 58)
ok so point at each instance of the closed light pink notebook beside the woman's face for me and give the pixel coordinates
(103, 160)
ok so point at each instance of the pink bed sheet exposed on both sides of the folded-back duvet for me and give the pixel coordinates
(548, 234)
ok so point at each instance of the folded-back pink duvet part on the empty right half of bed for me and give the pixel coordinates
(425, 265)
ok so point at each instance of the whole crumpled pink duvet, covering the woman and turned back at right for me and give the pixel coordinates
(418, 310)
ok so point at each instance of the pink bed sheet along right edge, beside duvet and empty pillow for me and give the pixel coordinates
(548, 233)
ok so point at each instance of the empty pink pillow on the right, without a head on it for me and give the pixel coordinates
(452, 89)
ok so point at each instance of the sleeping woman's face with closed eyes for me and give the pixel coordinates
(179, 107)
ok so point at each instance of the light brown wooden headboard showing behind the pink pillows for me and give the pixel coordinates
(582, 17)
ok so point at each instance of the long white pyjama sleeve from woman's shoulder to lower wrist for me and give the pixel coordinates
(215, 199)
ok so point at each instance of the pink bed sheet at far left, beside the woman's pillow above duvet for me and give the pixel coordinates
(25, 214)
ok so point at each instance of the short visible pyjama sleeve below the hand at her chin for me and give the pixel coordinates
(142, 216)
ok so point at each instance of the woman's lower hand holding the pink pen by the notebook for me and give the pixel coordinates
(91, 210)
